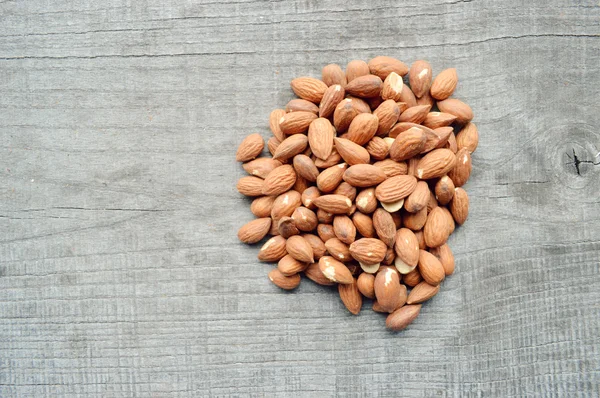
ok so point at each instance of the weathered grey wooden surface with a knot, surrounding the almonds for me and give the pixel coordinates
(120, 271)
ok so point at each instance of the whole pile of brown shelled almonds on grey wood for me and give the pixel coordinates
(363, 188)
